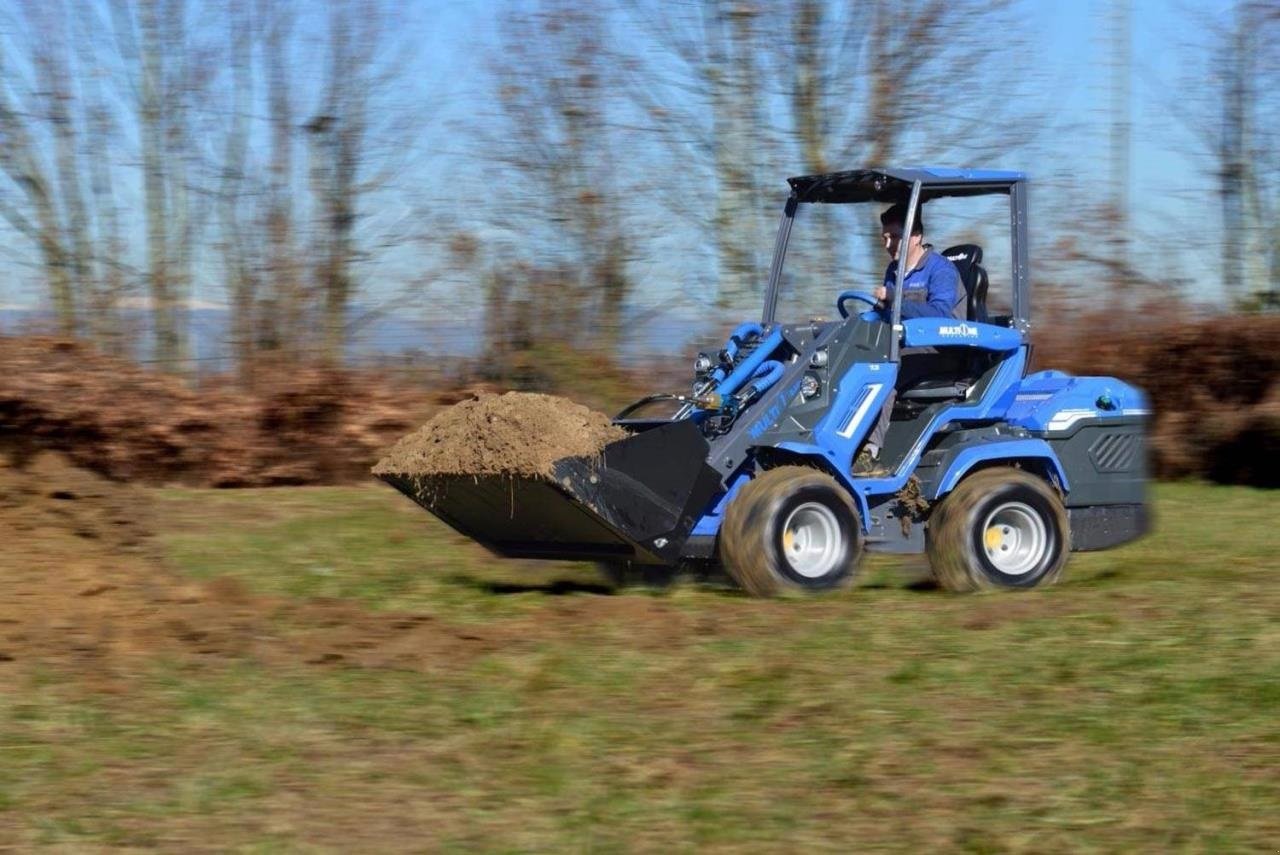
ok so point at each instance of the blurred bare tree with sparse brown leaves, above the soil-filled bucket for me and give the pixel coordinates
(557, 140)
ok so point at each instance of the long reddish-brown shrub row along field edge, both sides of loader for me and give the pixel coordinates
(1214, 385)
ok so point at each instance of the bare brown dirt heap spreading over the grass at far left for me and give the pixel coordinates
(84, 588)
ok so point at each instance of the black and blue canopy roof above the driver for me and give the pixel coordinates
(895, 185)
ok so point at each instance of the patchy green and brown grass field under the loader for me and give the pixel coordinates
(1133, 708)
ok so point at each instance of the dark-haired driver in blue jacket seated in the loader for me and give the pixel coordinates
(931, 290)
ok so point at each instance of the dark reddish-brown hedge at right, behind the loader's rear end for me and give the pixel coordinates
(1214, 386)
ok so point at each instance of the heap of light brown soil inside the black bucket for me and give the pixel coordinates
(511, 435)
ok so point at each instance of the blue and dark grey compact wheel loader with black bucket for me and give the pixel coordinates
(995, 473)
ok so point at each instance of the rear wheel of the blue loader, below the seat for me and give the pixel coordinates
(1000, 529)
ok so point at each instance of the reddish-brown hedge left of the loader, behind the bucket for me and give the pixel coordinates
(301, 427)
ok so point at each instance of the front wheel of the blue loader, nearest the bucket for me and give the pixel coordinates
(761, 556)
